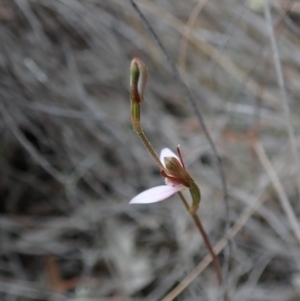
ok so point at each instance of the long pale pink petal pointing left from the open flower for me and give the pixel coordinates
(155, 194)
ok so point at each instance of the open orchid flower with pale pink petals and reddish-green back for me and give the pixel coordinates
(176, 179)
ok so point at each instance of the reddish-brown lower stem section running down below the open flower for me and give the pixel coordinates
(205, 238)
